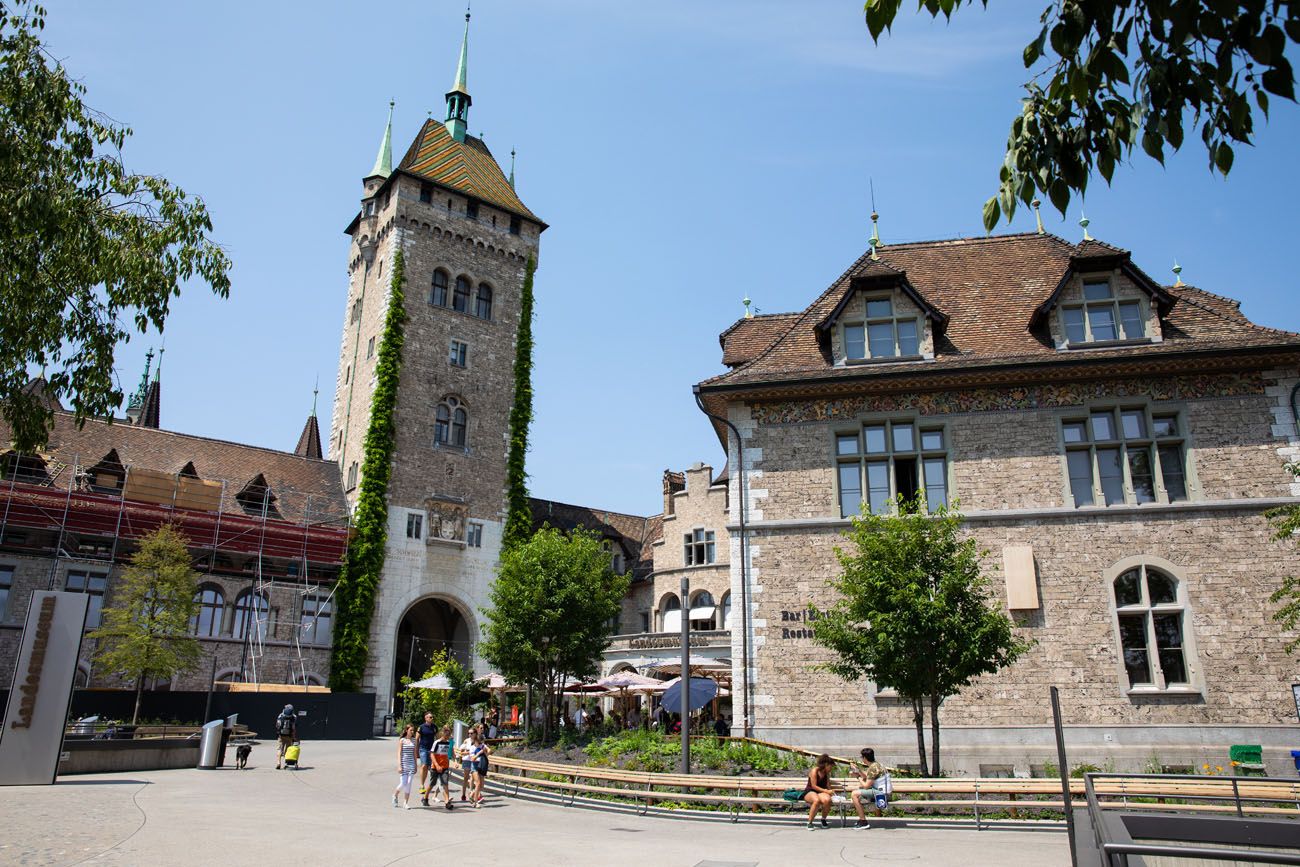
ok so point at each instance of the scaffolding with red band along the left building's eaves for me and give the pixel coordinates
(291, 540)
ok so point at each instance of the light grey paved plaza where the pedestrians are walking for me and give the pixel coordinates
(337, 812)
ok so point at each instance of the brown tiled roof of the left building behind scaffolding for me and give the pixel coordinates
(305, 489)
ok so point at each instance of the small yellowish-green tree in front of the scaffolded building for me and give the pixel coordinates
(146, 632)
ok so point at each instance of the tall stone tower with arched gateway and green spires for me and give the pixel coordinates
(466, 239)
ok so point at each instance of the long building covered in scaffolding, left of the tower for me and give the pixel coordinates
(267, 532)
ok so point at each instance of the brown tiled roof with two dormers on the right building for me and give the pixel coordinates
(990, 288)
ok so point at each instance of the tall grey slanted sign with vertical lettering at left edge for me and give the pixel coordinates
(42, 688)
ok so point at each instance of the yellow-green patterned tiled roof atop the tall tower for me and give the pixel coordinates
(467, 167)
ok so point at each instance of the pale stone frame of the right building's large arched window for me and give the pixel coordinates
(1191, 658)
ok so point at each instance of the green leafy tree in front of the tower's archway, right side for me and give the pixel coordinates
(553, 610)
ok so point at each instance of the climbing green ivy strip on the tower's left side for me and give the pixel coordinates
(359, 580)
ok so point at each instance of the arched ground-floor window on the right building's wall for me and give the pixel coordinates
(1151, 617)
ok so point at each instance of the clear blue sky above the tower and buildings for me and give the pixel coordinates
(684, 155)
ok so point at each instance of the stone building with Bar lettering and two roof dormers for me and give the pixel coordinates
(1113, 443)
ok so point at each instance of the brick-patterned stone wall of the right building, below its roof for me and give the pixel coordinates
(1008, 470)
